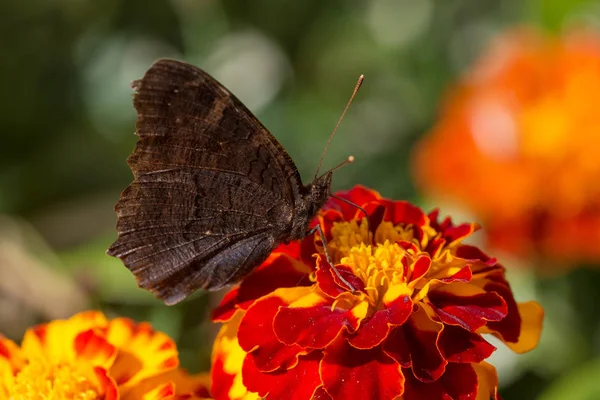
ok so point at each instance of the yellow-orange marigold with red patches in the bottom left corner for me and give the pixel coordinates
(89, 357)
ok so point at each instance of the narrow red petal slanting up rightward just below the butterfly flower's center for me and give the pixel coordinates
(374, 330)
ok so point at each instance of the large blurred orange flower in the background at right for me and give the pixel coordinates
(517, 142)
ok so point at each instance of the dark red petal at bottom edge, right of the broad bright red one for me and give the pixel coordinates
(459, 382)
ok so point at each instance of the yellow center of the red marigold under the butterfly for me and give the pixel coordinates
(378, 260)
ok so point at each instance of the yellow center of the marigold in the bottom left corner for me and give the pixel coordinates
(40, 380)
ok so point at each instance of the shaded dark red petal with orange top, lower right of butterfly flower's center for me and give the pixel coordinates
(415, 343)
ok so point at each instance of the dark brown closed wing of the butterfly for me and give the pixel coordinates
(213, 190)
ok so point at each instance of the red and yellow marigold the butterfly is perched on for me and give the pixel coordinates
(410, 329)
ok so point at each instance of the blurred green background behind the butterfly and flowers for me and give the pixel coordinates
(67, 123)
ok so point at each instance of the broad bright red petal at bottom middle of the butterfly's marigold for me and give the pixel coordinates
(350, 373)
